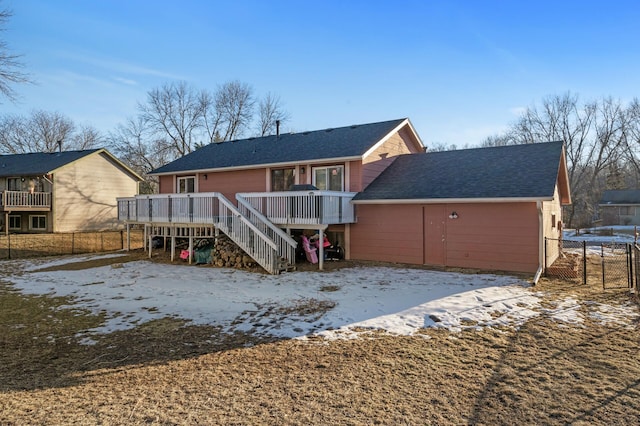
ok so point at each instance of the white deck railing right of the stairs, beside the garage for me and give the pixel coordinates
(291, 208)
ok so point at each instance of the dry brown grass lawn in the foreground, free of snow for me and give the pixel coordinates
(166, 372)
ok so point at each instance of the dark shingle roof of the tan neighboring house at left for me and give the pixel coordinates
(38, 163)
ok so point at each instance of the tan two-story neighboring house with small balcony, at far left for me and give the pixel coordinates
(66, 191)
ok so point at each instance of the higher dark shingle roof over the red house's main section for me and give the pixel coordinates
(342, 142)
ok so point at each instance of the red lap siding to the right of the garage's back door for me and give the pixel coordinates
(500, 236)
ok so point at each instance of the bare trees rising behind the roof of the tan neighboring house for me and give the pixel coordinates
(44, 131)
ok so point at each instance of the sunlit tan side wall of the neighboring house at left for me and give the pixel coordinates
(85, 192)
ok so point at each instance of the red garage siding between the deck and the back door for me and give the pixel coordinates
(388, 234)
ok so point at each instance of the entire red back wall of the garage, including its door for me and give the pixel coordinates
(490, 236)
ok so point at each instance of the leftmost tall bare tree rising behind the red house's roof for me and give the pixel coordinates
(175, 112)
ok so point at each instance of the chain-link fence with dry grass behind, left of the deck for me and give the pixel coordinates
(19, 246)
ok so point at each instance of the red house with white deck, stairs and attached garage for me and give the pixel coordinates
(380, 196)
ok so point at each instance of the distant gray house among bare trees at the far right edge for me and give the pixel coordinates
(620, 207)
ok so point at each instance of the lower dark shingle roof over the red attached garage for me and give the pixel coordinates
(516, 171)
